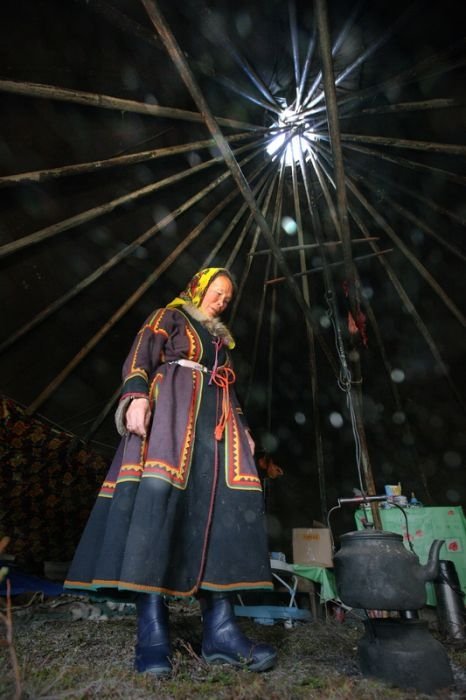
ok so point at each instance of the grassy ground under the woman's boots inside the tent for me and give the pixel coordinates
(69, 649)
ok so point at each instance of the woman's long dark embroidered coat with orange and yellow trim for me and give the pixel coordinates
(178, 510)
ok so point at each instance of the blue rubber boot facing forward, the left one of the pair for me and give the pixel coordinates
(153, 639)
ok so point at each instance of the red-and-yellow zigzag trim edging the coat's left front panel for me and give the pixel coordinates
(178, 475)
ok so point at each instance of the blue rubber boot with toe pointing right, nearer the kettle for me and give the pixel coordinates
(224, 643)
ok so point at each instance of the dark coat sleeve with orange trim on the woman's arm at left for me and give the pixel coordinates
(146, 354)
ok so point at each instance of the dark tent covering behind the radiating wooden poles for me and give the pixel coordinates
(82, 46)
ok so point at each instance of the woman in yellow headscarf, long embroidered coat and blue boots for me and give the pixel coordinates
(181, 510)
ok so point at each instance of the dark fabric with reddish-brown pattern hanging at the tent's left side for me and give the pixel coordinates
(48, 485)
